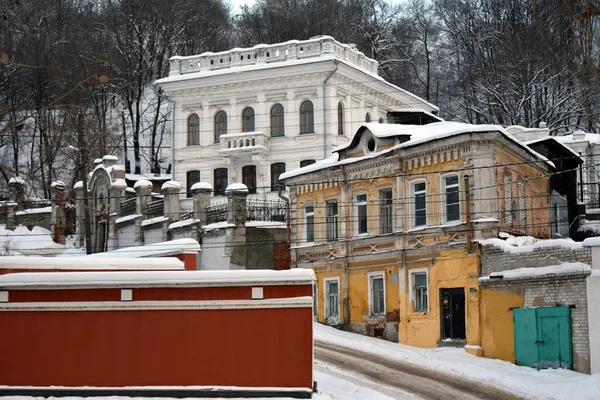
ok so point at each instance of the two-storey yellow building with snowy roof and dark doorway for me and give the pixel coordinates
(387, 224)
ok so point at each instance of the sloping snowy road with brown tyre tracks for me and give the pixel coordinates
(392, 379)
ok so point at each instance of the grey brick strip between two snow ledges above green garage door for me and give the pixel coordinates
(495, 259)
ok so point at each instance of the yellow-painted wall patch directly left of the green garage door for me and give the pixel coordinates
(497, 327)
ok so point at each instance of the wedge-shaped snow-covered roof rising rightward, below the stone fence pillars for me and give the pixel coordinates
(162, 249)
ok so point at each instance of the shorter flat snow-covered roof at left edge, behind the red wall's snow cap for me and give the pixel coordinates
(123, 262)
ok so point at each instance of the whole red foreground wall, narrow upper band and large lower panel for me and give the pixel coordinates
(256, 346)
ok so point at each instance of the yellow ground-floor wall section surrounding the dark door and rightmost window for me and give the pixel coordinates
(451, 269)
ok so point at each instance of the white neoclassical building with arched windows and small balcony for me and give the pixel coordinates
(248, 115)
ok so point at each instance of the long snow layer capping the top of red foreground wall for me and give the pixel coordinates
(129, 279)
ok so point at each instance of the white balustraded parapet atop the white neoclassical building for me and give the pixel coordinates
(265, 54)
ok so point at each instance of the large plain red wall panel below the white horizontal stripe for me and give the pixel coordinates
(249, 347)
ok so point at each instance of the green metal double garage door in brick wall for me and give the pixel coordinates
(543, 337)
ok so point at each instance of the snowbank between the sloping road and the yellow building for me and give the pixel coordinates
(524, 381)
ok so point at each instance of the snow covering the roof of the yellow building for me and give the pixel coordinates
(419, 134)
